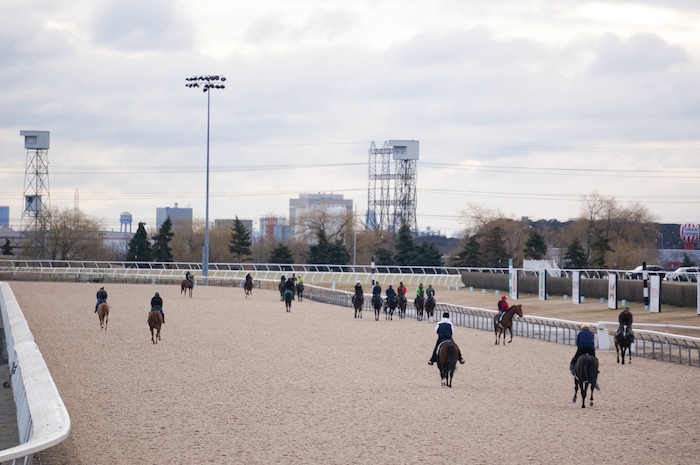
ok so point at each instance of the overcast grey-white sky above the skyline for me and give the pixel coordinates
(518, 106)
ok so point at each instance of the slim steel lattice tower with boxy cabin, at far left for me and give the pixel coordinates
(37, 207)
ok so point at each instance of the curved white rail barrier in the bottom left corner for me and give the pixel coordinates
(42, 419)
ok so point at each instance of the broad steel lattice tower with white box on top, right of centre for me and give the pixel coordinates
(392, 197)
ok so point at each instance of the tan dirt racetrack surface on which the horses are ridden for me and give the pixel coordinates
(237, 381)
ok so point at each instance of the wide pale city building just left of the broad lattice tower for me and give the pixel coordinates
(334, 206)
